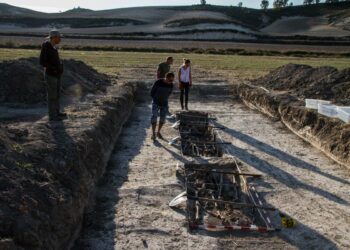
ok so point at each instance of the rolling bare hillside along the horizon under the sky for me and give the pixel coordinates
(185, 22)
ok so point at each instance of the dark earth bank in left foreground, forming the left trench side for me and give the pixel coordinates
(48, 170)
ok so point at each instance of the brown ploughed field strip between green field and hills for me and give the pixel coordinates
(115, 44)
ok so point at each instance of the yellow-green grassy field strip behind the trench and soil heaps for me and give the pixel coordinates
(242, 66)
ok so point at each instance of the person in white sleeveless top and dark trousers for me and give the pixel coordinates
(185, 82)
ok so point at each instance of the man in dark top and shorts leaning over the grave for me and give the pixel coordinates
(160, 93)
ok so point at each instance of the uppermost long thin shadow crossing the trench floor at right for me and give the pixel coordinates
(277, 153)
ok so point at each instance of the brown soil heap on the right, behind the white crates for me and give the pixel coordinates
(307, 82)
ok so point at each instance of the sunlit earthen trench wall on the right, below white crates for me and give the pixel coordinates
(330, 135)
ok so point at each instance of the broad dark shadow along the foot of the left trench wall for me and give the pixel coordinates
(99, 218)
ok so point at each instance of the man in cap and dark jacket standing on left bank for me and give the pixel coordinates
(53, 70)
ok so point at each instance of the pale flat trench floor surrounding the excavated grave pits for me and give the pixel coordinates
(132, 212)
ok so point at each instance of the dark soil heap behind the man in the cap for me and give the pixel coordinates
(22, 81)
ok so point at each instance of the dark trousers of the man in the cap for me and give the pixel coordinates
(53, 85)
